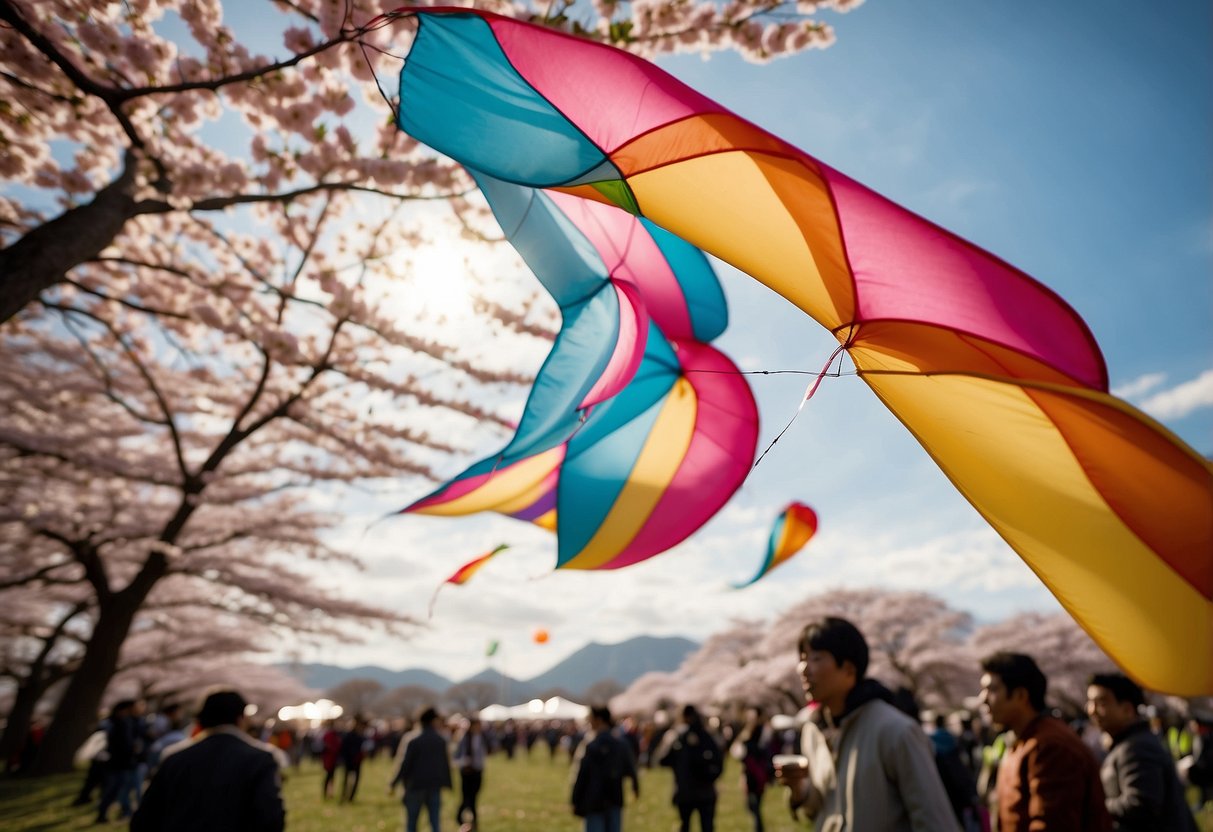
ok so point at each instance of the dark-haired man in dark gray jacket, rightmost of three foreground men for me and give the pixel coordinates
(1141, 787)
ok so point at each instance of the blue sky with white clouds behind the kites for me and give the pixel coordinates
(1072, 140)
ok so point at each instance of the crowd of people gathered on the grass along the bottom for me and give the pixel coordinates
(861, 759)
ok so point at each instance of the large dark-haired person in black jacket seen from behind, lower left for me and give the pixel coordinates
(220, 780)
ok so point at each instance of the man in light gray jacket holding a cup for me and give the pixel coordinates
(869, 767)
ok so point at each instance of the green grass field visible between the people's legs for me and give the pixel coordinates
(525, 795)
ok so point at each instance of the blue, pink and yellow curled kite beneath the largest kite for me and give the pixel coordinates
(636, 431)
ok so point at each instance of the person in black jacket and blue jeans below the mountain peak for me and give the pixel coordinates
(600, 767)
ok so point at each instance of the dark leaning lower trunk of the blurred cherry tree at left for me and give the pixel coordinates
(76, 717)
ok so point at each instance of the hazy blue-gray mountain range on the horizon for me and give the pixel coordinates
(622, 663)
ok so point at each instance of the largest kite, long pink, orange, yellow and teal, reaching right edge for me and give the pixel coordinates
(1000, 381)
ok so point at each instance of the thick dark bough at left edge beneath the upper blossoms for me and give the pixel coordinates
(45, 255)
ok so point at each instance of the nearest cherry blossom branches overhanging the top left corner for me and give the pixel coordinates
(133, 89)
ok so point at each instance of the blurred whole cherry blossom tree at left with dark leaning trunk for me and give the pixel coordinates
(178, 415)
